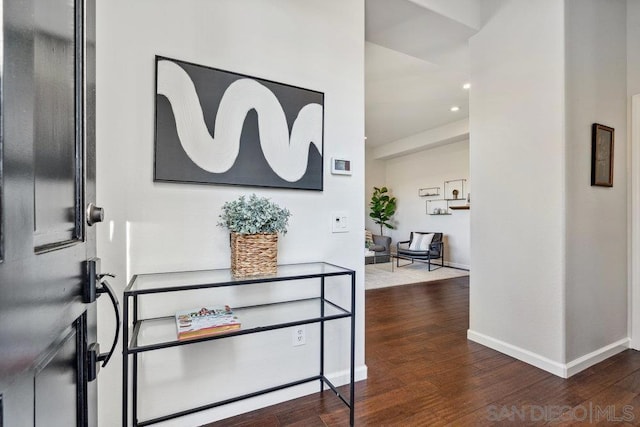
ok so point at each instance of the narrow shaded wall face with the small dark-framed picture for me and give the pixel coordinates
(596, 217)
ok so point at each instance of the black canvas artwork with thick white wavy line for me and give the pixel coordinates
(218, 127)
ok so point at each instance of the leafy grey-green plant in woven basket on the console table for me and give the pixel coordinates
(254, 226)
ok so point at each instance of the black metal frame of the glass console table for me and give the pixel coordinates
(131, 349)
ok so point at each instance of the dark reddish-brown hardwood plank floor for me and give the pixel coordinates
(424, 372)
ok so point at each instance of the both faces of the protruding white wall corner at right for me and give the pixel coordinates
(542, 73)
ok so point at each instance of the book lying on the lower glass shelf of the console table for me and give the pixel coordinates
(205, 321)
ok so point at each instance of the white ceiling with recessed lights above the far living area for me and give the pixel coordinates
(416, 61)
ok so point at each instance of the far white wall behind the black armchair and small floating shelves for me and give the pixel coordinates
(430, 168)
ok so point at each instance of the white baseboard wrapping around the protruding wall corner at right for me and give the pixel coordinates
(563, 370)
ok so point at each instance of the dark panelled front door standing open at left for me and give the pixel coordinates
(47, 177)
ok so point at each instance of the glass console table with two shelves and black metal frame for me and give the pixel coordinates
(255, 319)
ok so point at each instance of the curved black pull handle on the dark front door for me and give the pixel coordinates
(96, 285)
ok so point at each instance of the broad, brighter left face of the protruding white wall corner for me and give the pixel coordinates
(518, 171)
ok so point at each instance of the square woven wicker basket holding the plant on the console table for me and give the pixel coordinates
(254, 254)
